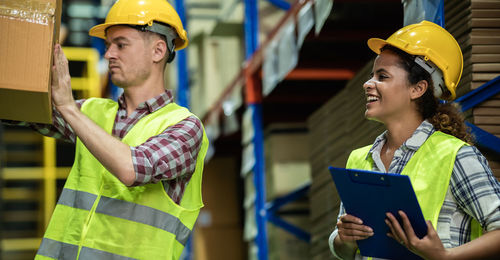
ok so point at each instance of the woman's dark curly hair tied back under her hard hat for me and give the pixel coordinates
(445, 117)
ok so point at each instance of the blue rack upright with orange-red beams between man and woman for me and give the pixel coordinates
(251, 79)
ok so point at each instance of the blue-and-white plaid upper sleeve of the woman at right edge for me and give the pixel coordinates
(475, 189)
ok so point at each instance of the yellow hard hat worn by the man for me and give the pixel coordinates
(142, 12)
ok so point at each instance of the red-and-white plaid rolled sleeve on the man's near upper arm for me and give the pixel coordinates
(169, 155)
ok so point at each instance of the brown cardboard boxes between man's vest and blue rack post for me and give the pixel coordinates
(218, 232)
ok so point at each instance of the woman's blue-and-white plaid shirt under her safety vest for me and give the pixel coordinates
(473, 191)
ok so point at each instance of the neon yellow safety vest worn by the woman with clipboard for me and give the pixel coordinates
(429, 169)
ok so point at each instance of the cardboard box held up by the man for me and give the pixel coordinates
(28, 31)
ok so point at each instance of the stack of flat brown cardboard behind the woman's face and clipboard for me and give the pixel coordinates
(336, 129)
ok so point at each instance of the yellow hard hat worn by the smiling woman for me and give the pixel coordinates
(434, 44)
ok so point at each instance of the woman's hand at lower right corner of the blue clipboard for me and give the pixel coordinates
(429, 247)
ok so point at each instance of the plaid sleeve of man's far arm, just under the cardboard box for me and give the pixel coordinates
(59, 129)
